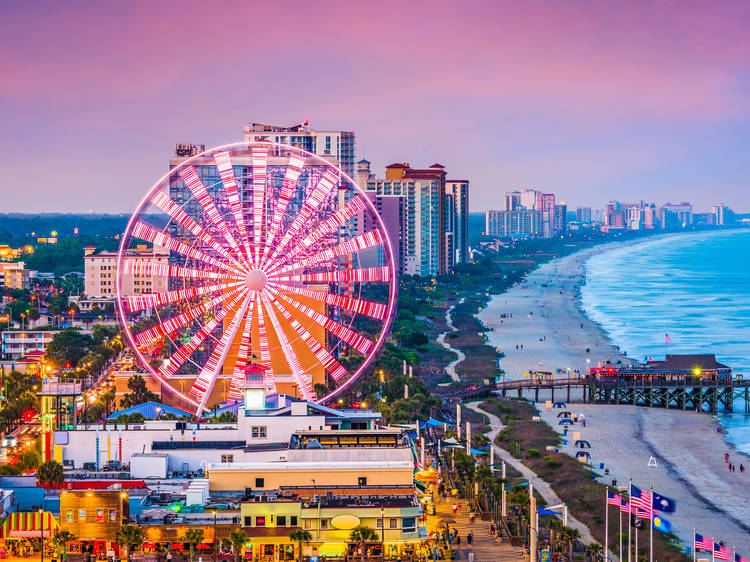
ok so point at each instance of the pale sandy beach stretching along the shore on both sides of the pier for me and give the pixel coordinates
(543, 314)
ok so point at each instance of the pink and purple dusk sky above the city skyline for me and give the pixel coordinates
(591, 101)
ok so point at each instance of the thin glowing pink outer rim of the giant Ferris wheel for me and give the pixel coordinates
(147, 199)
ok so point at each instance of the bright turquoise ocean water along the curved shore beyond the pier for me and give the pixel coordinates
(695, 288)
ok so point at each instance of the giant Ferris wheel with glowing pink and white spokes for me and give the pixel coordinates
(255, 255)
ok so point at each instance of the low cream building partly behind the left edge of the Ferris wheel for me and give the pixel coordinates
(100, 275)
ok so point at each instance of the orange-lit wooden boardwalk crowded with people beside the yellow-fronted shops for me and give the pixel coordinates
(485, 546)
